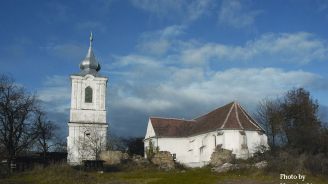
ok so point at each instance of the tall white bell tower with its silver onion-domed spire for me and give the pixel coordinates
(87, 123)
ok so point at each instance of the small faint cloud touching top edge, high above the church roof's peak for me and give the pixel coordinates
(235, 13)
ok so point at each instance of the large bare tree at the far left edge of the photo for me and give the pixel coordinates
(16, 113)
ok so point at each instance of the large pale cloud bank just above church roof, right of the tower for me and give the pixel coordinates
(177, 87)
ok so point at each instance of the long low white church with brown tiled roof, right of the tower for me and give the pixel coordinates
(192, 142)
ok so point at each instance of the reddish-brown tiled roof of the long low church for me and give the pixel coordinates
(230, 116)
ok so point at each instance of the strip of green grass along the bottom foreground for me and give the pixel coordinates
(62, 174)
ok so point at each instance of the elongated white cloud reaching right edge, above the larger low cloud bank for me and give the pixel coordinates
(299, 48)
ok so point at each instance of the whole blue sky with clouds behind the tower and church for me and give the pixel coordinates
(171, 58)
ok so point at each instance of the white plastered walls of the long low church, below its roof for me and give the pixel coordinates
(195, 151)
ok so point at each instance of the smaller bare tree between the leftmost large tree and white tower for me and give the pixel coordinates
(45, 133)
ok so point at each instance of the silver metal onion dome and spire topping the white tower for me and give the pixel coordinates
(89, 64)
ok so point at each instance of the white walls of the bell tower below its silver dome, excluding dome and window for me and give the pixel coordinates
(85, 116)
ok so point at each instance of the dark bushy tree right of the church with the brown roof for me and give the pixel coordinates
(292, 118)
